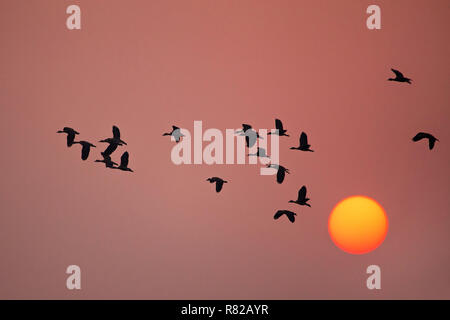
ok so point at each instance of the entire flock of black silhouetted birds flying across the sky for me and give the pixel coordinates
(251, 137)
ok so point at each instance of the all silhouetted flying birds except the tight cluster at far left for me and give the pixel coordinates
(251, 137)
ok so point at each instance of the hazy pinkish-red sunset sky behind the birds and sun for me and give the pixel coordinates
(162, 232)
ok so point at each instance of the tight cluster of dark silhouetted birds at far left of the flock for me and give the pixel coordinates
(113, 143)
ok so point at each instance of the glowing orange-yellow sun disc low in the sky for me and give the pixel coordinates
(358, 224)
